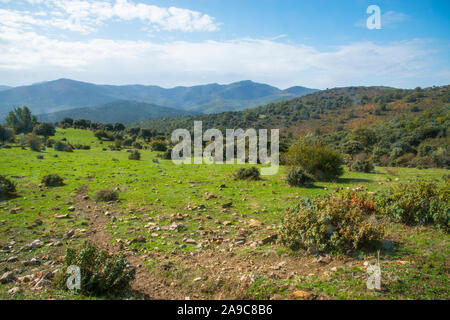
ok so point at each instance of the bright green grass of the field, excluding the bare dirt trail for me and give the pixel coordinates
(157, 192)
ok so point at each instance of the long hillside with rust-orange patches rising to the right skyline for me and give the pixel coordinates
(325, 111)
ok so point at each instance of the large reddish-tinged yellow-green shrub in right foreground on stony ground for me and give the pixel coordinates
(334, 223)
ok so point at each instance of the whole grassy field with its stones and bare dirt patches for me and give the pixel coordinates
(216, 254)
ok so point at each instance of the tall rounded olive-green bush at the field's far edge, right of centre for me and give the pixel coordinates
(316, 159)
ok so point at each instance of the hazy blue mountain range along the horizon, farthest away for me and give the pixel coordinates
(65, 94)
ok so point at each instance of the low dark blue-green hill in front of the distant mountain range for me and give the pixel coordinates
(125, 112)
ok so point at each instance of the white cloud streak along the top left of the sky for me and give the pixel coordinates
(85, 16)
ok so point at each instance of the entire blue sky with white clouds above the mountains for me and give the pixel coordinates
(312, 43)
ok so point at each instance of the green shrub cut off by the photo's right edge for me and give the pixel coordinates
(418, 202)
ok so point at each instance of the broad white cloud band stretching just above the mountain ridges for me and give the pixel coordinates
(28, 55)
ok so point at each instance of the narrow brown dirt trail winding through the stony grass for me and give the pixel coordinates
(146, 284)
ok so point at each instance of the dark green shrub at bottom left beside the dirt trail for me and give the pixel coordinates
(101, 274)
